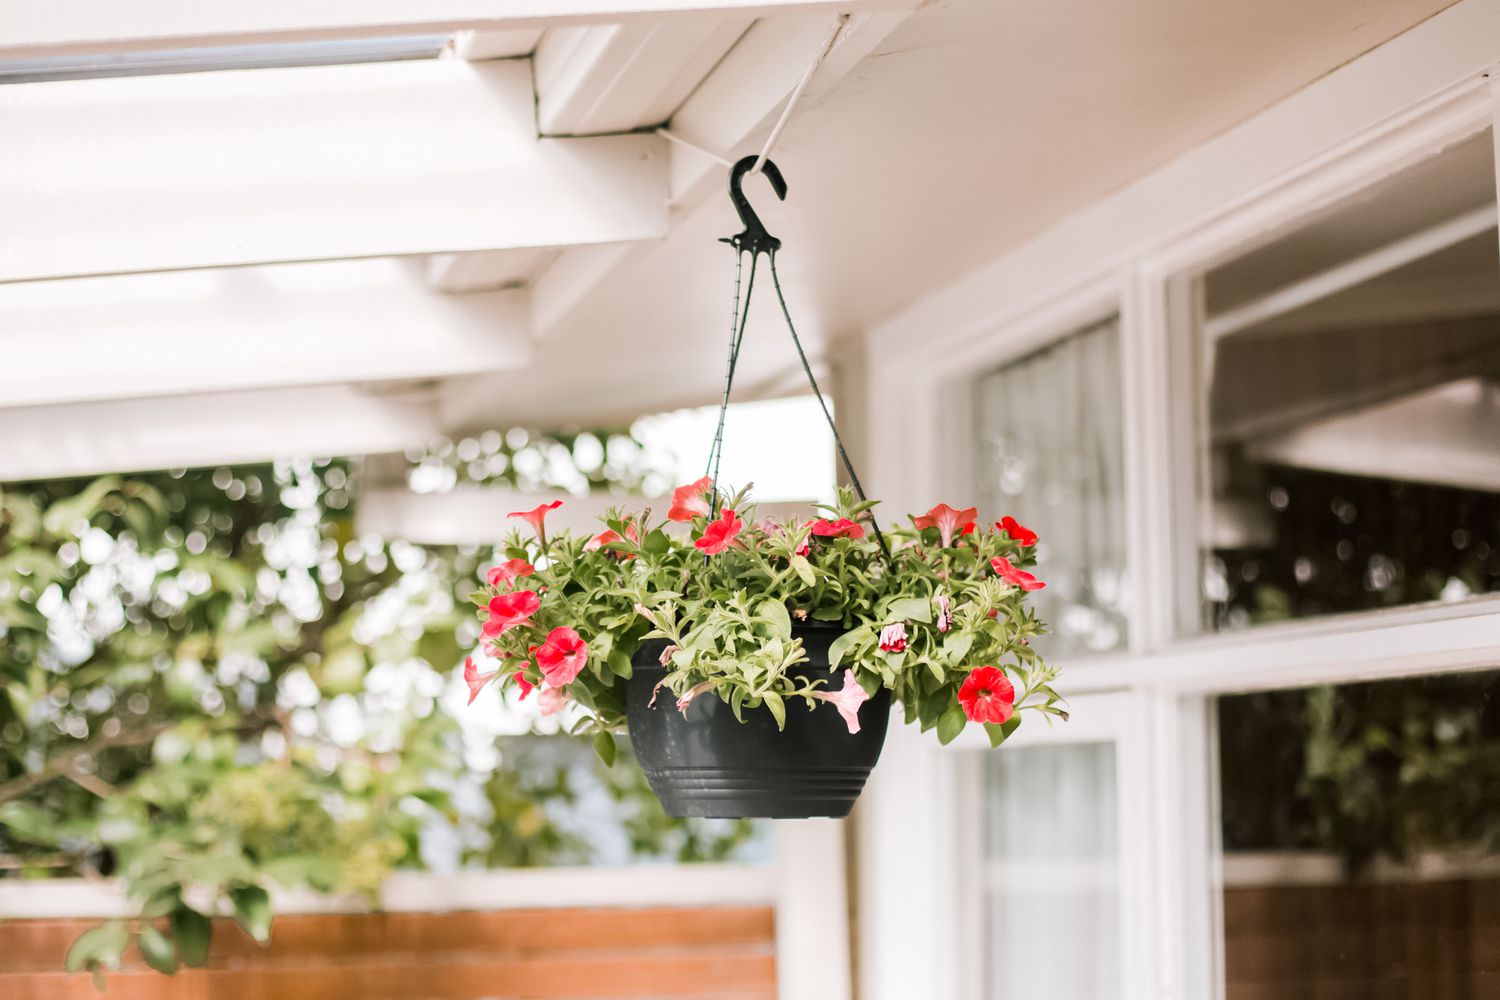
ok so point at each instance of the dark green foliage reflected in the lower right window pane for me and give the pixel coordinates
(1387, 770)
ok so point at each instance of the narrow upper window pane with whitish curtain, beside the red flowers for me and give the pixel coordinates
(1051, 455)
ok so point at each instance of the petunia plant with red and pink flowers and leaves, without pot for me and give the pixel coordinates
(935, 612)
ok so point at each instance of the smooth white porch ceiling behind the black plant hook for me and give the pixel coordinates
(973, 127)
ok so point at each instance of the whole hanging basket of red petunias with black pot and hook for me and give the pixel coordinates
(755, 662)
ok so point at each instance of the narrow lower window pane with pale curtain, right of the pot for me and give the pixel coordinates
(1052, 873)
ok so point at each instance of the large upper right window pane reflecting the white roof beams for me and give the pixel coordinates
(1354, 404)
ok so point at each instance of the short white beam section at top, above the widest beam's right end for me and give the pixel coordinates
(622, 77)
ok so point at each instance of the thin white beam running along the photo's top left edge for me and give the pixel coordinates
(68, 28)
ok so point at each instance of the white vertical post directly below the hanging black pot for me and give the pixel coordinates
(812, 912)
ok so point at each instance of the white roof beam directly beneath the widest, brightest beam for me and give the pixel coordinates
(212, 331)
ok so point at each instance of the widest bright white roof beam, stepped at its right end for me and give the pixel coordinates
(250, 167)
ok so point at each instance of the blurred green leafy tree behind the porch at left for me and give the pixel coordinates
(211, 686)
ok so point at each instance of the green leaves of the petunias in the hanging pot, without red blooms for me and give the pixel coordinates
(727, 617)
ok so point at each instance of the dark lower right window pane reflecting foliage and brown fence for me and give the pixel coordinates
(1361, 834)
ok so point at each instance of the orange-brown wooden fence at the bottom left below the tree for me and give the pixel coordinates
(727, 953)
